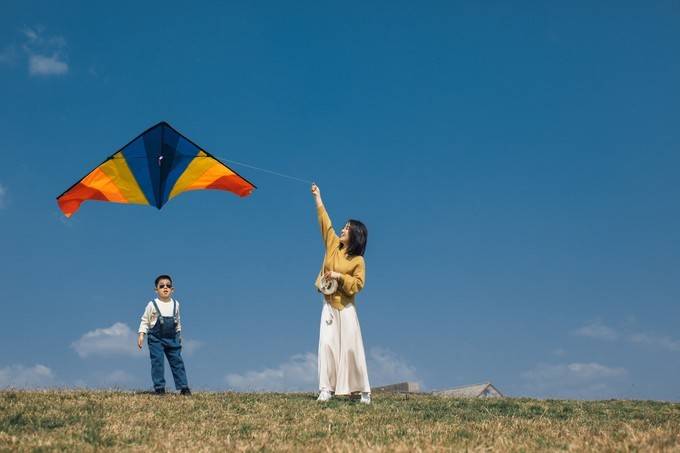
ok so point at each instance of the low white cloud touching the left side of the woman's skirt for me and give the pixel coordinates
(298, 373)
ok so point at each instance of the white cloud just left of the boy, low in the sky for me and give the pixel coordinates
(118, 339)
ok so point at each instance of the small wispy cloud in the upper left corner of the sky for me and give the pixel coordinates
(46, 54)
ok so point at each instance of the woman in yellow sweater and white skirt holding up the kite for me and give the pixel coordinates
(342, 362)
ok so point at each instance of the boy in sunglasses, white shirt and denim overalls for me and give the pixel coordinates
(161, 322)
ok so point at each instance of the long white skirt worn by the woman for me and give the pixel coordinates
(342, 361)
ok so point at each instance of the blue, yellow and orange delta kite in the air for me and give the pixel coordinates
(152, 169)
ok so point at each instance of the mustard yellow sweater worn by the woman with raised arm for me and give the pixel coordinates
(352, 268)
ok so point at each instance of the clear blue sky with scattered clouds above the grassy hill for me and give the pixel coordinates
(516, 165)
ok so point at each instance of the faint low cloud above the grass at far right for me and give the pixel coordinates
(572, 380)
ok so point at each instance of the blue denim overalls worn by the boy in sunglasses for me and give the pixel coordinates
(163, 337)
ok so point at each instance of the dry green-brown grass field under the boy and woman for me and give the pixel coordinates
(112, 420)
